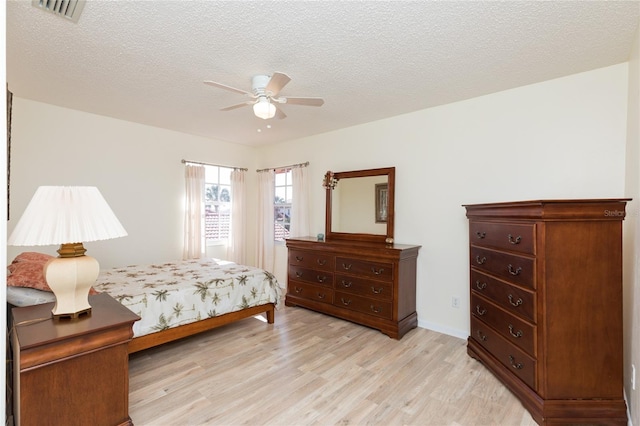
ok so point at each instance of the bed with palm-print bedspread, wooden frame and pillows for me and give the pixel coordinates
(173, 299)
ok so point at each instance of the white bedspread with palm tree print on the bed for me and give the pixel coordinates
(171, 294)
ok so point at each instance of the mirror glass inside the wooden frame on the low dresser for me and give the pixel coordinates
(354, 207)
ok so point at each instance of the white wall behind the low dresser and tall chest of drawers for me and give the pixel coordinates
(563, 138)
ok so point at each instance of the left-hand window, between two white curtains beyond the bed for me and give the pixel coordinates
(217, 204)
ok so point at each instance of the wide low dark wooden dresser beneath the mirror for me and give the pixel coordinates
(371, 284)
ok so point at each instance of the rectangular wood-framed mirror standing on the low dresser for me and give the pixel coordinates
(360, 205)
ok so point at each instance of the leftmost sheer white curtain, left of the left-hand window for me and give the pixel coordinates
(194, 217)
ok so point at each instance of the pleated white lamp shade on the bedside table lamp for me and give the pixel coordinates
(66, 214)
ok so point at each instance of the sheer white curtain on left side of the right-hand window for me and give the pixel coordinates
(266, 197)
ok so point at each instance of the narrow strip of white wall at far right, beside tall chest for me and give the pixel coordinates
(632, 237)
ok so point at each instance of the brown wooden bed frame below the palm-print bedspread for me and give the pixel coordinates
(169, 335)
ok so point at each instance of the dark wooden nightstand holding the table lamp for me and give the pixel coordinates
(72, 372)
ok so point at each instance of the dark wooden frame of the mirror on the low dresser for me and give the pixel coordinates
(390, 172)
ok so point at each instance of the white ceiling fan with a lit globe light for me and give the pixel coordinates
(264, 96)
